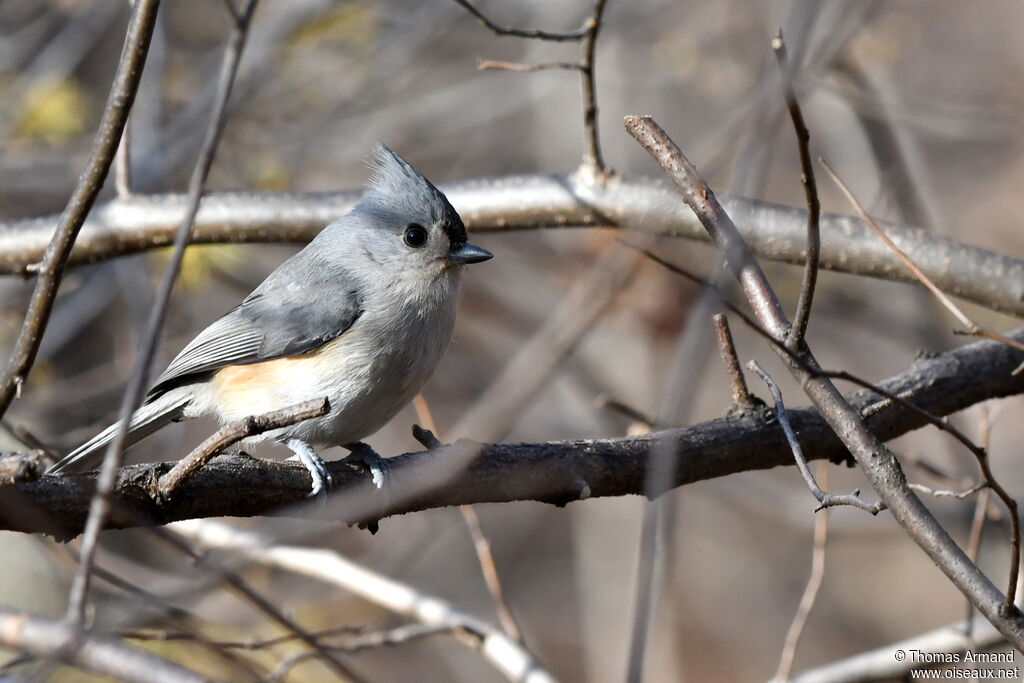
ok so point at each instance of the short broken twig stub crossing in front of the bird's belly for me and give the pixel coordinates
(233, 434)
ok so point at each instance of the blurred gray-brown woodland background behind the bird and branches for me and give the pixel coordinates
(917, 104)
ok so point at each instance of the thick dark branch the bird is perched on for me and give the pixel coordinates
(550, 473)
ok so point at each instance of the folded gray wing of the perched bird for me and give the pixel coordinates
(302, 307)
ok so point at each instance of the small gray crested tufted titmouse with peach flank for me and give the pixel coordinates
(361, 316)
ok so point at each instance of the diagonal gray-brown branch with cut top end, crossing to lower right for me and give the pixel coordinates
(878, 463)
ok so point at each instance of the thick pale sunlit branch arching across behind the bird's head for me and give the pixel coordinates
(514, 203)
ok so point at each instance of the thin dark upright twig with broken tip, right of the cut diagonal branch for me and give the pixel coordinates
(807, 285)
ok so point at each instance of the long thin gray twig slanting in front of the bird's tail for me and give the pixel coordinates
(100, 506)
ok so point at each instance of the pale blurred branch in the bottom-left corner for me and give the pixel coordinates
(100, 655)
